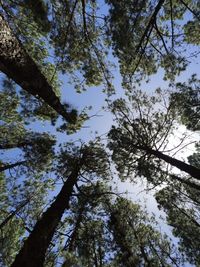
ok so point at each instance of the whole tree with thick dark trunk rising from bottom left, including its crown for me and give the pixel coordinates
(34, 248)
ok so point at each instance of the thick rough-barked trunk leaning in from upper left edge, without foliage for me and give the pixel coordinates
(21, 68)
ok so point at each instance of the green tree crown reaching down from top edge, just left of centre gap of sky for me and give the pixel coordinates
(76, 37)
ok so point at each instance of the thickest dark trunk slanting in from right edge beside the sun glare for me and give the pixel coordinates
(191, 170)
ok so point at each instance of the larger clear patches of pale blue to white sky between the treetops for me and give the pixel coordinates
(103, 122)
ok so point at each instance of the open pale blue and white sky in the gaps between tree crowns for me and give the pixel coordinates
(102, 122)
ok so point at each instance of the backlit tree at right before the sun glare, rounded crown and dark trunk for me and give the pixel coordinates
(139, 140)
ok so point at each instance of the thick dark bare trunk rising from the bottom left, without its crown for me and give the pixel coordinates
(33, 252)
